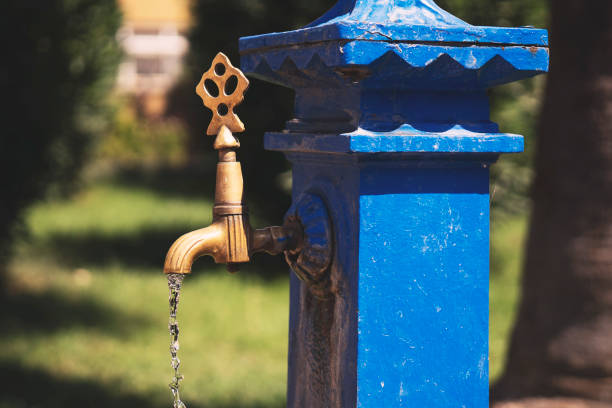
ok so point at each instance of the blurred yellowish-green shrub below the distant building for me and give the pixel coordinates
(132, 140)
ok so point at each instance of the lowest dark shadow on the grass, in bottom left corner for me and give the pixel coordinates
(22, 387)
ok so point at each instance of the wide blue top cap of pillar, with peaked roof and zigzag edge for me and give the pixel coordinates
(425, 40)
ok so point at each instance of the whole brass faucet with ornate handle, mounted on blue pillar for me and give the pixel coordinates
(230, 239)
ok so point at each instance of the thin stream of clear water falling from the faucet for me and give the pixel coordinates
(175, 281)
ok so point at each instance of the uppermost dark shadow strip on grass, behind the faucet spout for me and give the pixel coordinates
(145, 248)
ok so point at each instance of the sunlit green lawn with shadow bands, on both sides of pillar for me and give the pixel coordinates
(85, 322)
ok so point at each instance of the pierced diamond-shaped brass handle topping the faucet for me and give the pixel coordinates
(222, 88)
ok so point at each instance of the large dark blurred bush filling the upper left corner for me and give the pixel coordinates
(62, 64)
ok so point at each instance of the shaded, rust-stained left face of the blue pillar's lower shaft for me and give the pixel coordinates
(322, 368)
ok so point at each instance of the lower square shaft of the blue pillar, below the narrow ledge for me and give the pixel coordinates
(408, 326)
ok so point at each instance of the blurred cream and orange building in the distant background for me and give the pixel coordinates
(154, 42)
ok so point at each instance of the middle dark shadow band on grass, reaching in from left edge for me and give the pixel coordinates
(32, 313)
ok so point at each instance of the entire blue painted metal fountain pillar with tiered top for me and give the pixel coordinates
(392, 130)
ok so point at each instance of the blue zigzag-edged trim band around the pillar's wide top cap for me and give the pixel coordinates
(396, 61)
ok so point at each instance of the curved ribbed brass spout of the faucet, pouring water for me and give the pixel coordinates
(189, 247)
